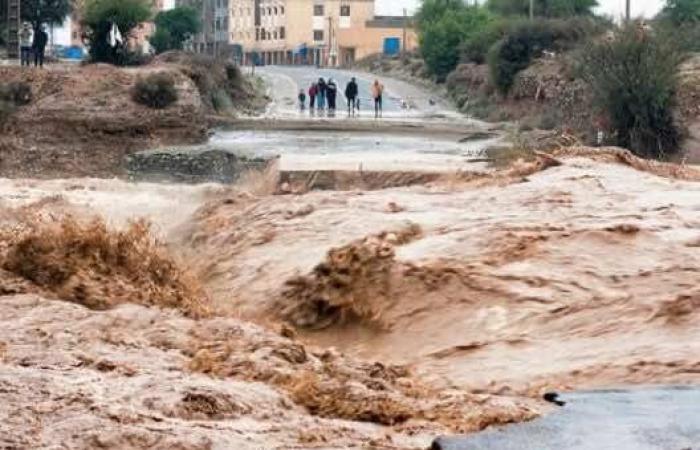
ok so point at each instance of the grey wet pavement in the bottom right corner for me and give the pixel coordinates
(664, 418)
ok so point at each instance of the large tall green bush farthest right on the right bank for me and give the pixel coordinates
(634, 79)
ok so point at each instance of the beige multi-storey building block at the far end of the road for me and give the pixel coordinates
(323, 32)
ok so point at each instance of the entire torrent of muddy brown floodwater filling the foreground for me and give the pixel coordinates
(472, 293)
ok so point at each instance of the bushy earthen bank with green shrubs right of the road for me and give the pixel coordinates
(564, 69)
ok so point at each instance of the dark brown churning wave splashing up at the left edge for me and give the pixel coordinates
(89, 264)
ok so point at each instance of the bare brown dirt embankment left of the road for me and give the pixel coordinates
(82, 120)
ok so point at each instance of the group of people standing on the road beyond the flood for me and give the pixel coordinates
(322, 93)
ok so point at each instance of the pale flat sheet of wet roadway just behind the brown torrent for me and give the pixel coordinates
(309, 150)
